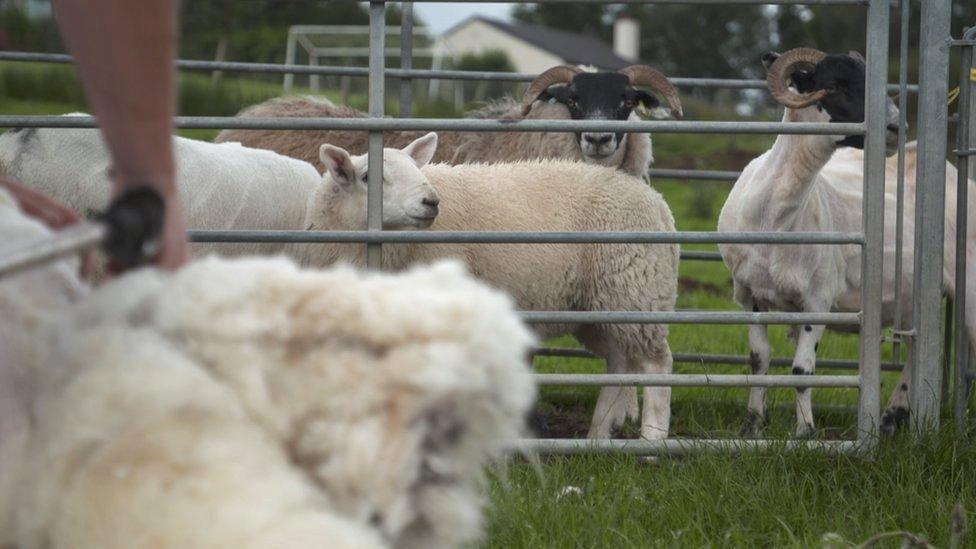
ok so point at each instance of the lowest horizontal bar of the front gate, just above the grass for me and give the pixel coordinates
(676, 446)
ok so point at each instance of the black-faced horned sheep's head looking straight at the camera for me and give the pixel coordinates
(590, 95)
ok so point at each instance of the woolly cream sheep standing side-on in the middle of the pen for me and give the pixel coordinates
(551, 195)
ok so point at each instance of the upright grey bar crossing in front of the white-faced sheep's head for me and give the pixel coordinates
(377, 84)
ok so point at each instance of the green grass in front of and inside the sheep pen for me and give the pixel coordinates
(776, 499)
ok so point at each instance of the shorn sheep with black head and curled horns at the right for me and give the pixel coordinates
(814, 183)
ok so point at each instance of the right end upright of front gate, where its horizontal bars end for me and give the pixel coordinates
(872, 258)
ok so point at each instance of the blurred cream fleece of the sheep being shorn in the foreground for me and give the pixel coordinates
(248, 403)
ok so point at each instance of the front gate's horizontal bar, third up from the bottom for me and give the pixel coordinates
(687, 317)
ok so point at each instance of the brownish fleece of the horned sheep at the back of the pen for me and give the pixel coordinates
(634, 156)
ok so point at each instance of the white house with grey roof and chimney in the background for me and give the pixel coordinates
(533, 48)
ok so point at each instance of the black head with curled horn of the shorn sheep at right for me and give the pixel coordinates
(834, 83)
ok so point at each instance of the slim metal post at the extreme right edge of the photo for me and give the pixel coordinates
(963, 131)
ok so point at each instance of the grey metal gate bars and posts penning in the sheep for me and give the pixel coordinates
(921, 330)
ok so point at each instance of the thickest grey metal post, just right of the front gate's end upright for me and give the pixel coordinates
(926, 384)
